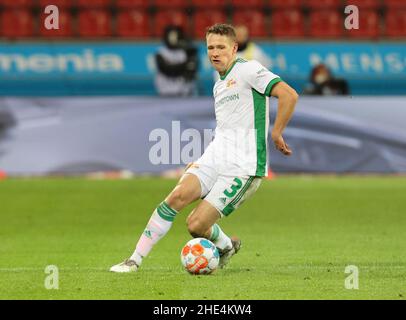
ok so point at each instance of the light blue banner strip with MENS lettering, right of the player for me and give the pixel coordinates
(345, 59)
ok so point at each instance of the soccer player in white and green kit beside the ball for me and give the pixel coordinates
(234, 163)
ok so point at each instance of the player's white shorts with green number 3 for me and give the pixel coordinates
(224, 192)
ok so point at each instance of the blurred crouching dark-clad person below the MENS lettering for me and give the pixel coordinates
(322, 82)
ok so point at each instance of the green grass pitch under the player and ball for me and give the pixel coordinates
(298, 233)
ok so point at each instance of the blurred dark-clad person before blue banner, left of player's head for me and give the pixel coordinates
(177, 63)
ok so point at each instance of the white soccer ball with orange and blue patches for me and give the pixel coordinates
(200, 256)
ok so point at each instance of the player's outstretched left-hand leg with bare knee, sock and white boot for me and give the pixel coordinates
(185, 192)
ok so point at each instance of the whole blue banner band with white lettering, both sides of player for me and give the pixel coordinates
(129, 68)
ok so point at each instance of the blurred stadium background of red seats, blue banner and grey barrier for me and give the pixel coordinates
(82, 98)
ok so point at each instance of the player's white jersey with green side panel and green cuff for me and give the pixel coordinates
(240, 145)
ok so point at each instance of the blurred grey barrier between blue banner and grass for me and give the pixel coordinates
(77, 135)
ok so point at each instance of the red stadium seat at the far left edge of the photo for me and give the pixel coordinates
(17, 23)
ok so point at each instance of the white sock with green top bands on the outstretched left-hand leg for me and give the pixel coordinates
(157, 227)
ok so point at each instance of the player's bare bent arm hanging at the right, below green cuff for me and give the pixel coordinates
(287, 98)
